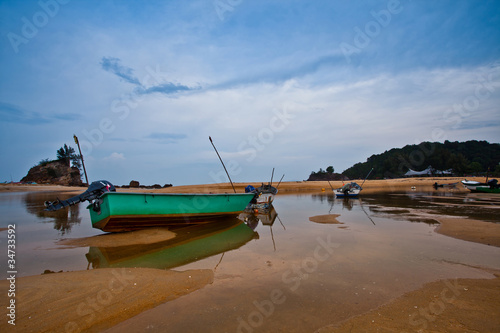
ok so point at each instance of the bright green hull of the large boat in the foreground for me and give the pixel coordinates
(129, 211)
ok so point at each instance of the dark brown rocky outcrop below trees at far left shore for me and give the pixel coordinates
(55, 172)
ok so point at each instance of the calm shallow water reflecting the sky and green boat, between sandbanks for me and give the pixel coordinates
(293, 275)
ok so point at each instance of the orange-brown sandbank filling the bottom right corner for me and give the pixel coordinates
(460, 305)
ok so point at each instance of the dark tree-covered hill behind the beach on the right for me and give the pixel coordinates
(463, 158)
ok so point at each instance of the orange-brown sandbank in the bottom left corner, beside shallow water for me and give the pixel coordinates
(97, 299)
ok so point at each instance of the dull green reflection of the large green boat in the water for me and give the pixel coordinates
(191, 243)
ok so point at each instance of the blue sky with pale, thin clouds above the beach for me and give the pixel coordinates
(294, 85)
